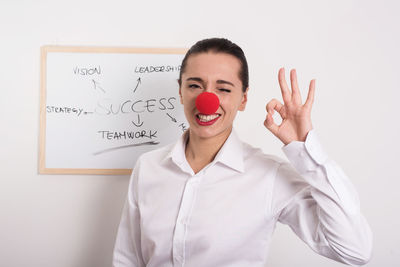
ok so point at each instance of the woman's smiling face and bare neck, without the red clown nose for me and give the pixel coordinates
(215, 73)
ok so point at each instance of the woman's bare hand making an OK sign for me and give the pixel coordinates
(296, 117)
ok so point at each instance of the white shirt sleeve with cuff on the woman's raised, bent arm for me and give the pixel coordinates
(316, 199)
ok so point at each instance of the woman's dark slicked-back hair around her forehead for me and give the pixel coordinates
(219, 45)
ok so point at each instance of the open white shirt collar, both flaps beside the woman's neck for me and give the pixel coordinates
(230, 154)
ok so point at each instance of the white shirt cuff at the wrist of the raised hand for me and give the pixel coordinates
(306, 156)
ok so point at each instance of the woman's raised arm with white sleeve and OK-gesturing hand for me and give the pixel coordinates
(315, 198)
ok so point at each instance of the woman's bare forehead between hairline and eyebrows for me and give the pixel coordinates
(213, 65)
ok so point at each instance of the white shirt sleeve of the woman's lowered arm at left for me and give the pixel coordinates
(127, 249)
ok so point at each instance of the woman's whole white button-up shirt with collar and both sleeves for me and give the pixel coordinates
(225, 214)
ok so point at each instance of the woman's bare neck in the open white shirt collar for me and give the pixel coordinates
(201, 151)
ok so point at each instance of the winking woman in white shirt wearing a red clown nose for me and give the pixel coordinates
(212, 200)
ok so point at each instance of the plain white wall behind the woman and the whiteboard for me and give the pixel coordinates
(351, 47)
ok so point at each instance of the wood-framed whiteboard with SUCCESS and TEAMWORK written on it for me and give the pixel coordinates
(101, 108)
